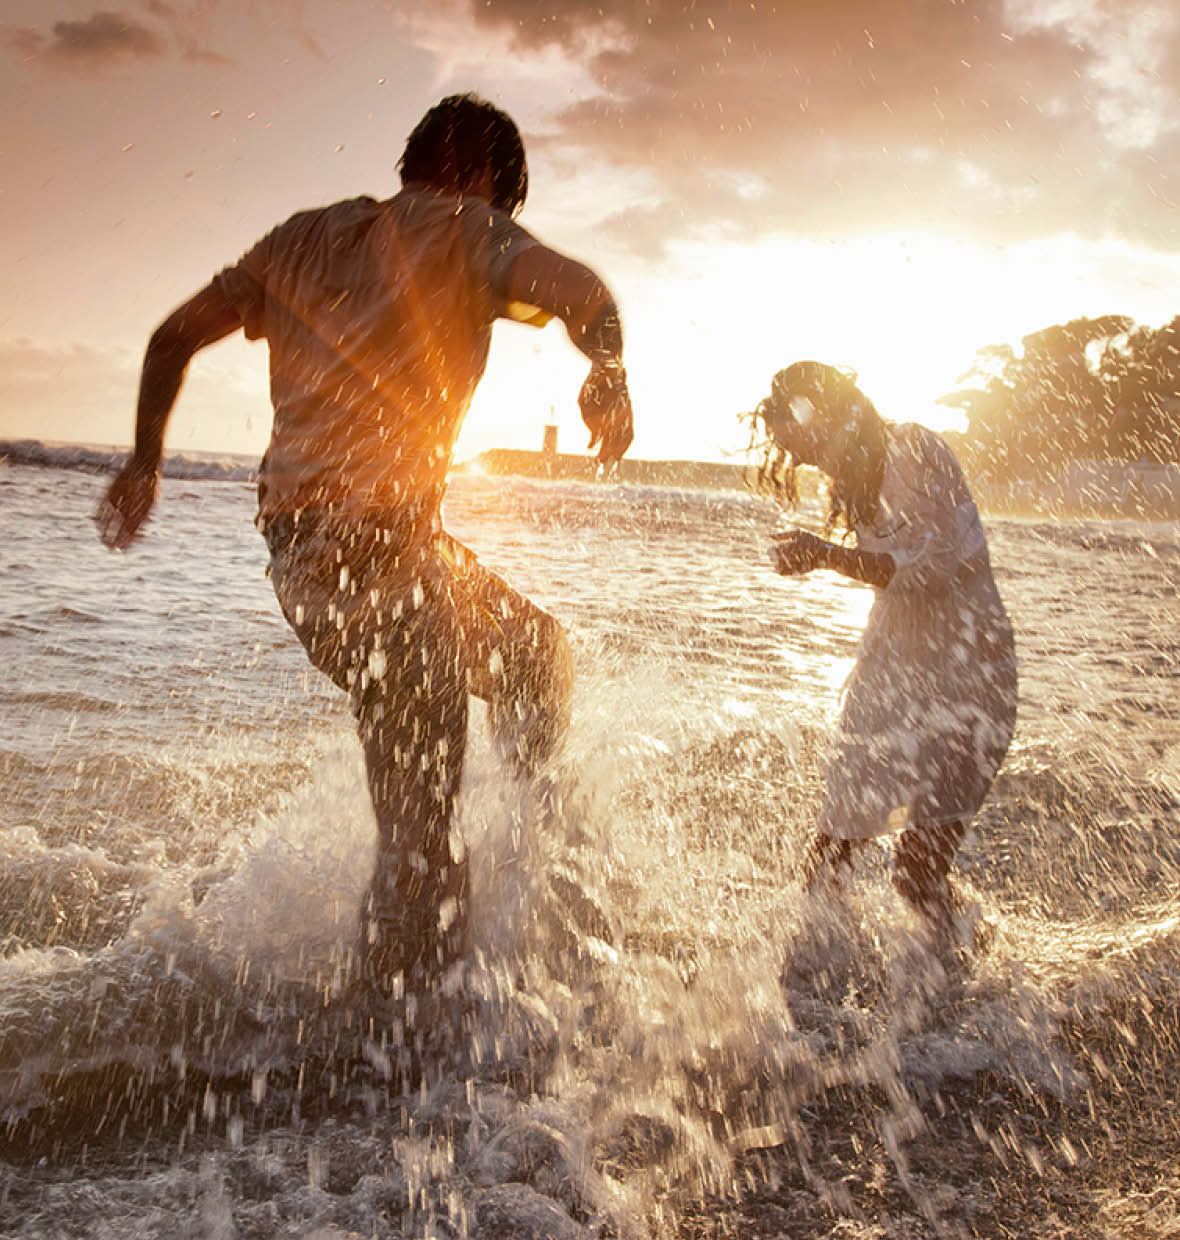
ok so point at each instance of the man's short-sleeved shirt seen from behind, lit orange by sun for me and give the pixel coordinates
(379, 319)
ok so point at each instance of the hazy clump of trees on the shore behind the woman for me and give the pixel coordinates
(1091, 389)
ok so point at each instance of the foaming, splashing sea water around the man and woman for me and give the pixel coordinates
(665, 1038)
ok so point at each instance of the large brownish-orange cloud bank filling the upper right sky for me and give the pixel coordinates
(868, 115)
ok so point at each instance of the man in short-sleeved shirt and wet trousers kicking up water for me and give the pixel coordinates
(379, 319)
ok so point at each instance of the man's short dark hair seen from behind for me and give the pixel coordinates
(460, 137)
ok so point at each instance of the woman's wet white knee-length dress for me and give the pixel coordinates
(931, 702)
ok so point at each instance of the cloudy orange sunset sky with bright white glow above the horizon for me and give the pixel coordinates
(883, 184)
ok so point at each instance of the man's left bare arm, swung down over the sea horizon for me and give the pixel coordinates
(203, 321)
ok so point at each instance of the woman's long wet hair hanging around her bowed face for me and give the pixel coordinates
(855, 493)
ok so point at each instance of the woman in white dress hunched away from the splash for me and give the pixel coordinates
(931, 702)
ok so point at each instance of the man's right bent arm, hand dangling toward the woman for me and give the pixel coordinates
(571, 292)
